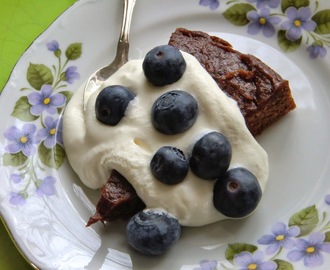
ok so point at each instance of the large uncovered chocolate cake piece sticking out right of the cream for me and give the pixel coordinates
(262, 95)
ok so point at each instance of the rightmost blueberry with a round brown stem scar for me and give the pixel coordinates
(236, 194)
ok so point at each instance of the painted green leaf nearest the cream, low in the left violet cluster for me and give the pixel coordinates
(52, 158)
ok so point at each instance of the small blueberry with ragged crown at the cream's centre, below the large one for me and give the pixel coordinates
(169, 165)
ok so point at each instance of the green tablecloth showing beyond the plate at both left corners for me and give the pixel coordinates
(21, 21)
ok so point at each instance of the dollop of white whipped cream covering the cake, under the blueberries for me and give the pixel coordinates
(95, 149)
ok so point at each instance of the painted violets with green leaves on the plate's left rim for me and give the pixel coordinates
(35, 143)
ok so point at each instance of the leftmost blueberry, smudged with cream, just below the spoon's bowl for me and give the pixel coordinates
(111, 104)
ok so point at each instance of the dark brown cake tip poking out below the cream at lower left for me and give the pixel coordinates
(118, 200)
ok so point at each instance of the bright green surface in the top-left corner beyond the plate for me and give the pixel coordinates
(21, 21)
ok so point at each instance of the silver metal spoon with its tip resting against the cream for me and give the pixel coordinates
(121, 58)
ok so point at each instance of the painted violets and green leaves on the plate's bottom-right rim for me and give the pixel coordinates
(303, 241)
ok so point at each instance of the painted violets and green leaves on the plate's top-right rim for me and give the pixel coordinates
(291, 22)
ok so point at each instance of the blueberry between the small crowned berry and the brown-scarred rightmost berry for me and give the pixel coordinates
(211, 156)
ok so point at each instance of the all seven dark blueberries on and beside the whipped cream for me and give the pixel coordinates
(236, 191)
